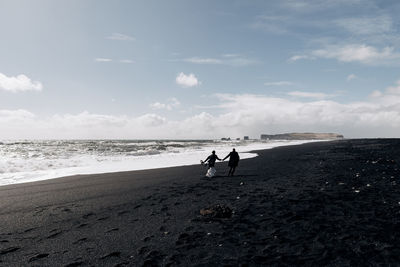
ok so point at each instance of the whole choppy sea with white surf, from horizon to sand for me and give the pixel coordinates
(34, 160)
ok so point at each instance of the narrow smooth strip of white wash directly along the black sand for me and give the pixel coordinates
(145, 162)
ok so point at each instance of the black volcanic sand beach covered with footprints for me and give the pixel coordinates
(330, 203)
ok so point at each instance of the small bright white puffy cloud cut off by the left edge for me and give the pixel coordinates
(19, 83)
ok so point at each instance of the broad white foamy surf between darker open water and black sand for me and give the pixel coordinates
(35, 167)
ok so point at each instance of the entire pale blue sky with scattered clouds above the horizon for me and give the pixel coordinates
(186, 69)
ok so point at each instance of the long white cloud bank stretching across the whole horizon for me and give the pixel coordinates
(236, 114)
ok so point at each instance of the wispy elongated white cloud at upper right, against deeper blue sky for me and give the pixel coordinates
(357, 53)
